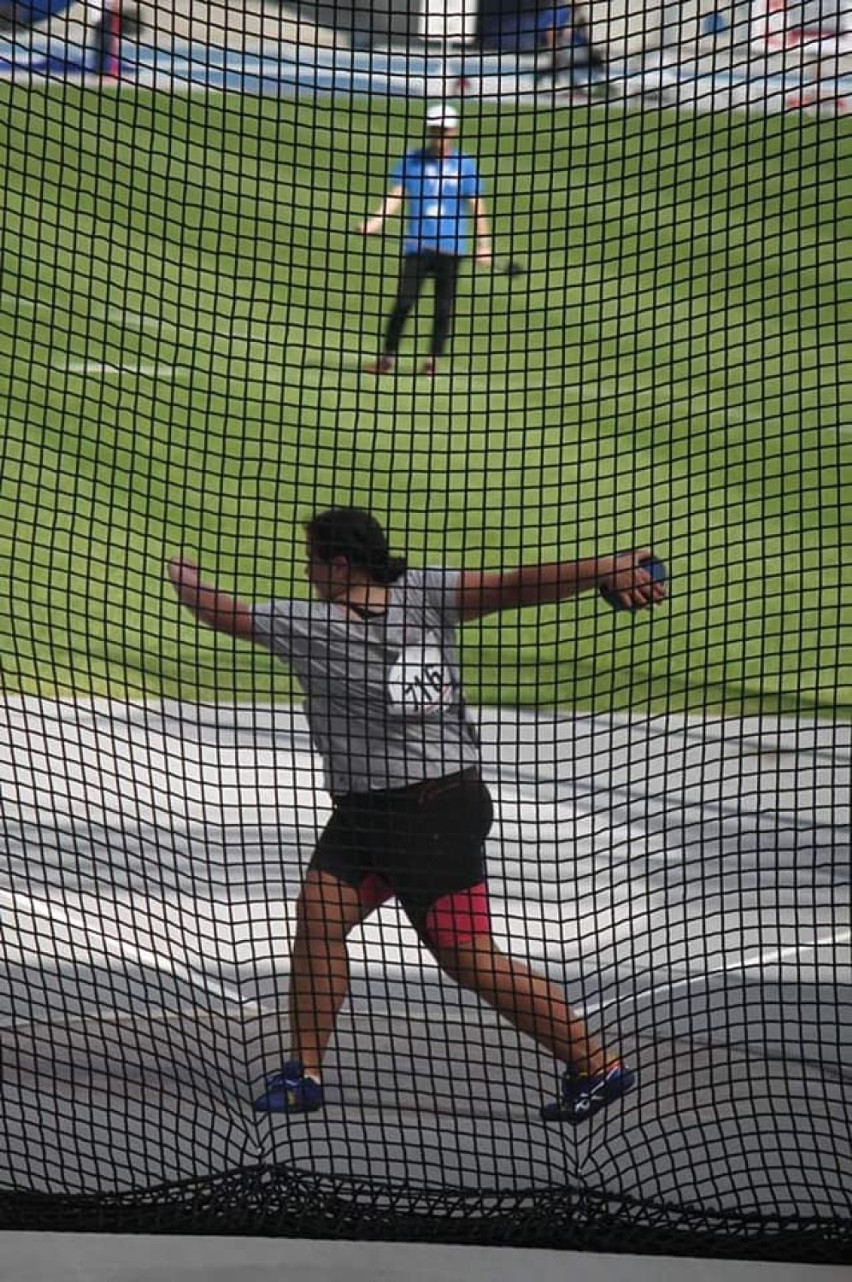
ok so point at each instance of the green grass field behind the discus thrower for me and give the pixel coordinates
(672, 370)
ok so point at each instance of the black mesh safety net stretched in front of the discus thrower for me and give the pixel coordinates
(654, 358)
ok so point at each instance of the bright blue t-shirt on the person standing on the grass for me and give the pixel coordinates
(439, 192)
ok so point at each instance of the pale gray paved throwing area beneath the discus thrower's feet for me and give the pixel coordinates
(689, 883)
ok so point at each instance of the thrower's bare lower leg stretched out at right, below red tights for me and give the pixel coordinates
(530, 1002)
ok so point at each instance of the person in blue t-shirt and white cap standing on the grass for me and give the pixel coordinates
(444, 197)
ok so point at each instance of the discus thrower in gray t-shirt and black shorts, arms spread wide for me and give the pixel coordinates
(376, 656)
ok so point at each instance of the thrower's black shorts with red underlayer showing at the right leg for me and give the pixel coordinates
(423, 844)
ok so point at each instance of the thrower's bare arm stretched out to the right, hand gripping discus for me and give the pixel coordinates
(485, 592)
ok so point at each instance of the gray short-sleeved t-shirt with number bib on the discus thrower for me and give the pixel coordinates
(384, 695)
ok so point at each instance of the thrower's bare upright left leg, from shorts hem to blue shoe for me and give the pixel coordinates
(327, 911)
